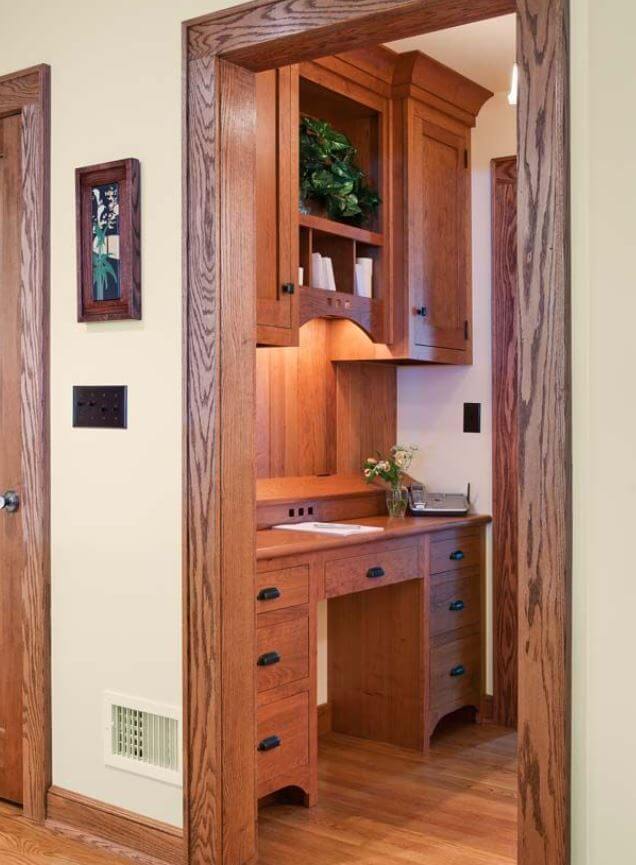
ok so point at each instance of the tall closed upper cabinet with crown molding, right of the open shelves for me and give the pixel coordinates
(433, 110)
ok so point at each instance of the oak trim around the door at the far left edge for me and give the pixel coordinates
(28, 93)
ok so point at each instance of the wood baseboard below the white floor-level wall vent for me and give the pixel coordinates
(146, 841)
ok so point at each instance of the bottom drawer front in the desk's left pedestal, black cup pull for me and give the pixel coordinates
(282, 737)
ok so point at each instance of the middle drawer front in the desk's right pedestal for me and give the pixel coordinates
(455, 600)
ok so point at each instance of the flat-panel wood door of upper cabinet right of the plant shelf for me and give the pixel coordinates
(438, 194)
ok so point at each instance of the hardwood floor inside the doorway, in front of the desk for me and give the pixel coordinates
(380, 805)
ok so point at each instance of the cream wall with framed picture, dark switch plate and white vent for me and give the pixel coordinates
(116, 512)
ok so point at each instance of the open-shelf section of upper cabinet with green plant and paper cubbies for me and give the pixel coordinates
(355, 103)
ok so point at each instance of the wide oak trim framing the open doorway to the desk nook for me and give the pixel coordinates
(219, 373)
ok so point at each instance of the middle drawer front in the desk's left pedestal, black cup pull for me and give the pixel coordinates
(282, 652)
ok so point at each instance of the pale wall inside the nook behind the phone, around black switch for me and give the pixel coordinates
(430, 399)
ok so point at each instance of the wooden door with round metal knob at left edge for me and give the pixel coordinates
(11, 536)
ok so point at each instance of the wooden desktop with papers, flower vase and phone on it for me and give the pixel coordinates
(272, 543)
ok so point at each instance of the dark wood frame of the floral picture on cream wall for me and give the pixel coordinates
(126, 173)
